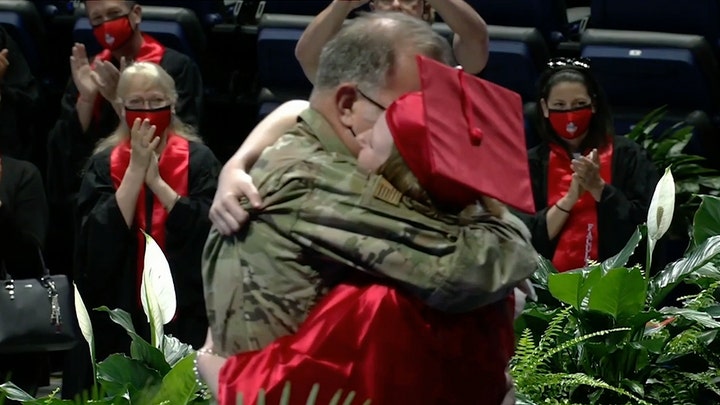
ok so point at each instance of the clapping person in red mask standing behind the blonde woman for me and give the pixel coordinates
(88, 115)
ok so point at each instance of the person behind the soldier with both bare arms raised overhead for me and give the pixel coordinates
(470, 42)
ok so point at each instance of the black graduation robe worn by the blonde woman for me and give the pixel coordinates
(106, 252)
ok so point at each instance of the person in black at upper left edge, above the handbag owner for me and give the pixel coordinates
(19, 96)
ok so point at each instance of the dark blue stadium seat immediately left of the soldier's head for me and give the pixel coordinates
(280, 74)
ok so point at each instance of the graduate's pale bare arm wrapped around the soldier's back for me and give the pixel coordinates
(226, 213)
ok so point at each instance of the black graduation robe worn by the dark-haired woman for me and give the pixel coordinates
(623, 206)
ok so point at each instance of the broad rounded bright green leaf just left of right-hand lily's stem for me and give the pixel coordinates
(620, 293)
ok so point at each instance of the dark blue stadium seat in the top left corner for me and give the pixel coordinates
(23, 23)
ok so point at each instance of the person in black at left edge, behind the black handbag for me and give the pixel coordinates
(23, 226)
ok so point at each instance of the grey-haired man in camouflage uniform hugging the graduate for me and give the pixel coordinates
(322, 221)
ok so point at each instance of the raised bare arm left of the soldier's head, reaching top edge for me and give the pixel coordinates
(320, 31)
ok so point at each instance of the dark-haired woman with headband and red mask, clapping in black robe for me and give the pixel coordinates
(591, 188)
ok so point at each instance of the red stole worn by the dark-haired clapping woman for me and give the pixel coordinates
(574, 242)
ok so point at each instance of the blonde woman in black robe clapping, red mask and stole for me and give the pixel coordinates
(152, 174)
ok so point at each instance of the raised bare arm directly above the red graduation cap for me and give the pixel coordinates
(471, 40)
